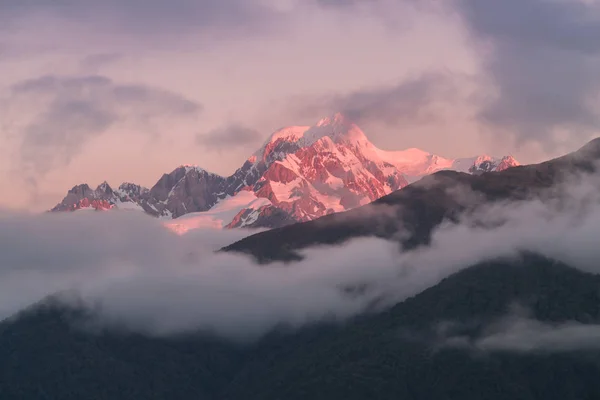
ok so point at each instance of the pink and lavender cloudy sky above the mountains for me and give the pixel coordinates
(126, 90)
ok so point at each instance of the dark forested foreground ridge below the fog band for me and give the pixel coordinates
(391, 355)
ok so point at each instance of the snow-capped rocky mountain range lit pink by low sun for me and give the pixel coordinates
(299, 174)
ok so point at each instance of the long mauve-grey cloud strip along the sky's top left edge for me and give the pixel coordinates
(149, 17)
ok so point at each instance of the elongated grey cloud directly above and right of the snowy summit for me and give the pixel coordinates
(410, 101)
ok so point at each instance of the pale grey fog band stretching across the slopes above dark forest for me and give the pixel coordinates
(139, 276)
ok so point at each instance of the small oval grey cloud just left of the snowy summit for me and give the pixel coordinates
(229, 137)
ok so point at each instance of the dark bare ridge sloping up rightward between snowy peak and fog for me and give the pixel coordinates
(418, 208)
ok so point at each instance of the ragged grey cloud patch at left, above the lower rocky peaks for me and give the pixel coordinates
(69, 111)
